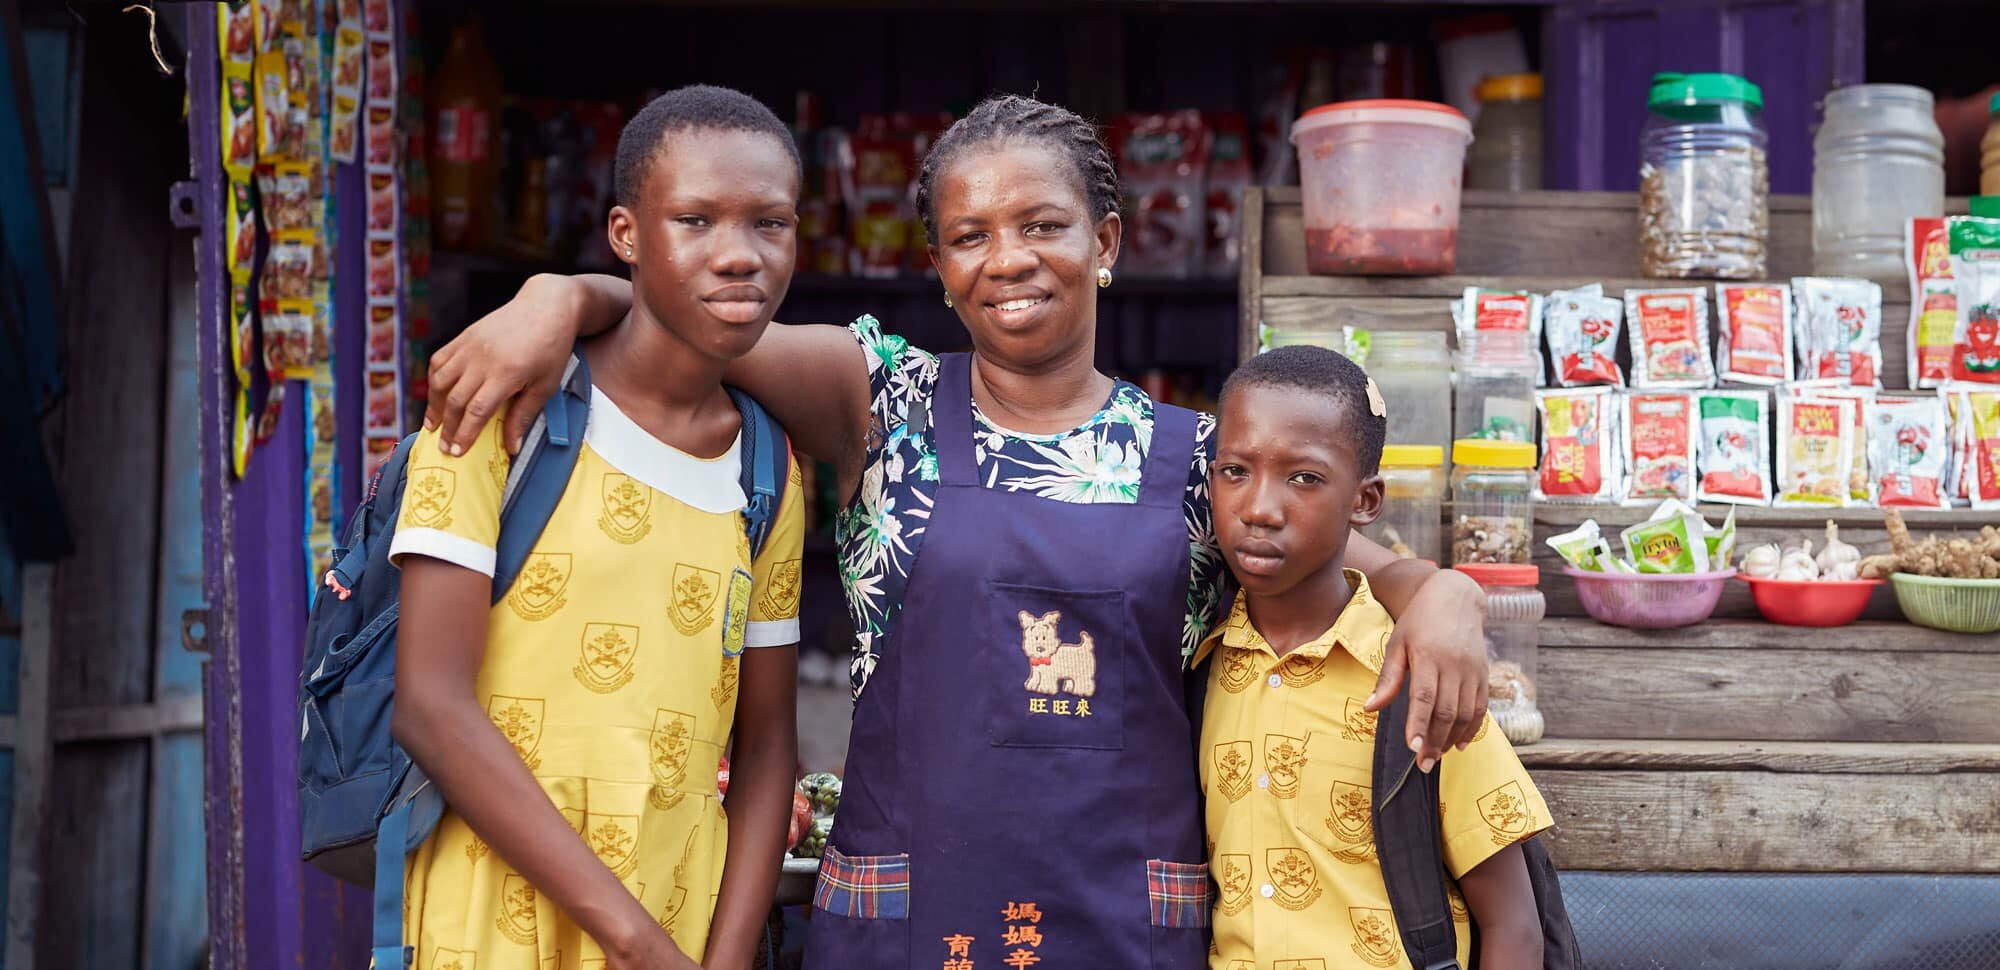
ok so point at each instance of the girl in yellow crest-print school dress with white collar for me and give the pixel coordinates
(575, 729)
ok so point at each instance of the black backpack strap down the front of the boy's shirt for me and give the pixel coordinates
(1411, 847)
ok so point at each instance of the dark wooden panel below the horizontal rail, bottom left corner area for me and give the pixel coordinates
(93, 901)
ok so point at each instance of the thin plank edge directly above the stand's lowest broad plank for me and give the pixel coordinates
(1761, 757)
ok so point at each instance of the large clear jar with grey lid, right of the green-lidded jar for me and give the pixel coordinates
(1877, 163)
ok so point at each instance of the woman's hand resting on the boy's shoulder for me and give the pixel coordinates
(1441, 649)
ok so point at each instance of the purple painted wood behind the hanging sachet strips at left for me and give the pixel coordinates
(265, 909)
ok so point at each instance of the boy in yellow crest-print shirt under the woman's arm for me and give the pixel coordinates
(1287, 747)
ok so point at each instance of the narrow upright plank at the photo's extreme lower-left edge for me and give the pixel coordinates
(31, 783)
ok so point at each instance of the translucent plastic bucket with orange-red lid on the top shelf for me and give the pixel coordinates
(1381, 181)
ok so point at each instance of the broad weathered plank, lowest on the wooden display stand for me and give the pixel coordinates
(1773, 823)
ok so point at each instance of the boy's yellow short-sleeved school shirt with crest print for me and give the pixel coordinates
(1287, 755)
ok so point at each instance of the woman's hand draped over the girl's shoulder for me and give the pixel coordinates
(517, 353)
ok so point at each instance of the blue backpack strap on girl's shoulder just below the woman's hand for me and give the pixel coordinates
(541, 473)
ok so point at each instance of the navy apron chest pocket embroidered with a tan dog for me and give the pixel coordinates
(1055, 677)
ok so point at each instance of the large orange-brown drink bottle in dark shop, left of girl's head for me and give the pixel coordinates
(465, 163)
